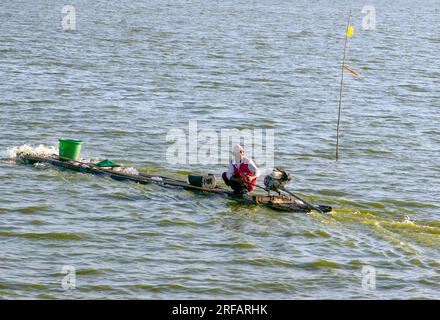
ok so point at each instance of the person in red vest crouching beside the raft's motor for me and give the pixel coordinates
(242, 173)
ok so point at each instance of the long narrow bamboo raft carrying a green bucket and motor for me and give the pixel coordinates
(277, 202)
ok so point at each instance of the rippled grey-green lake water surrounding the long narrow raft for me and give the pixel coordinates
(132, 71)
